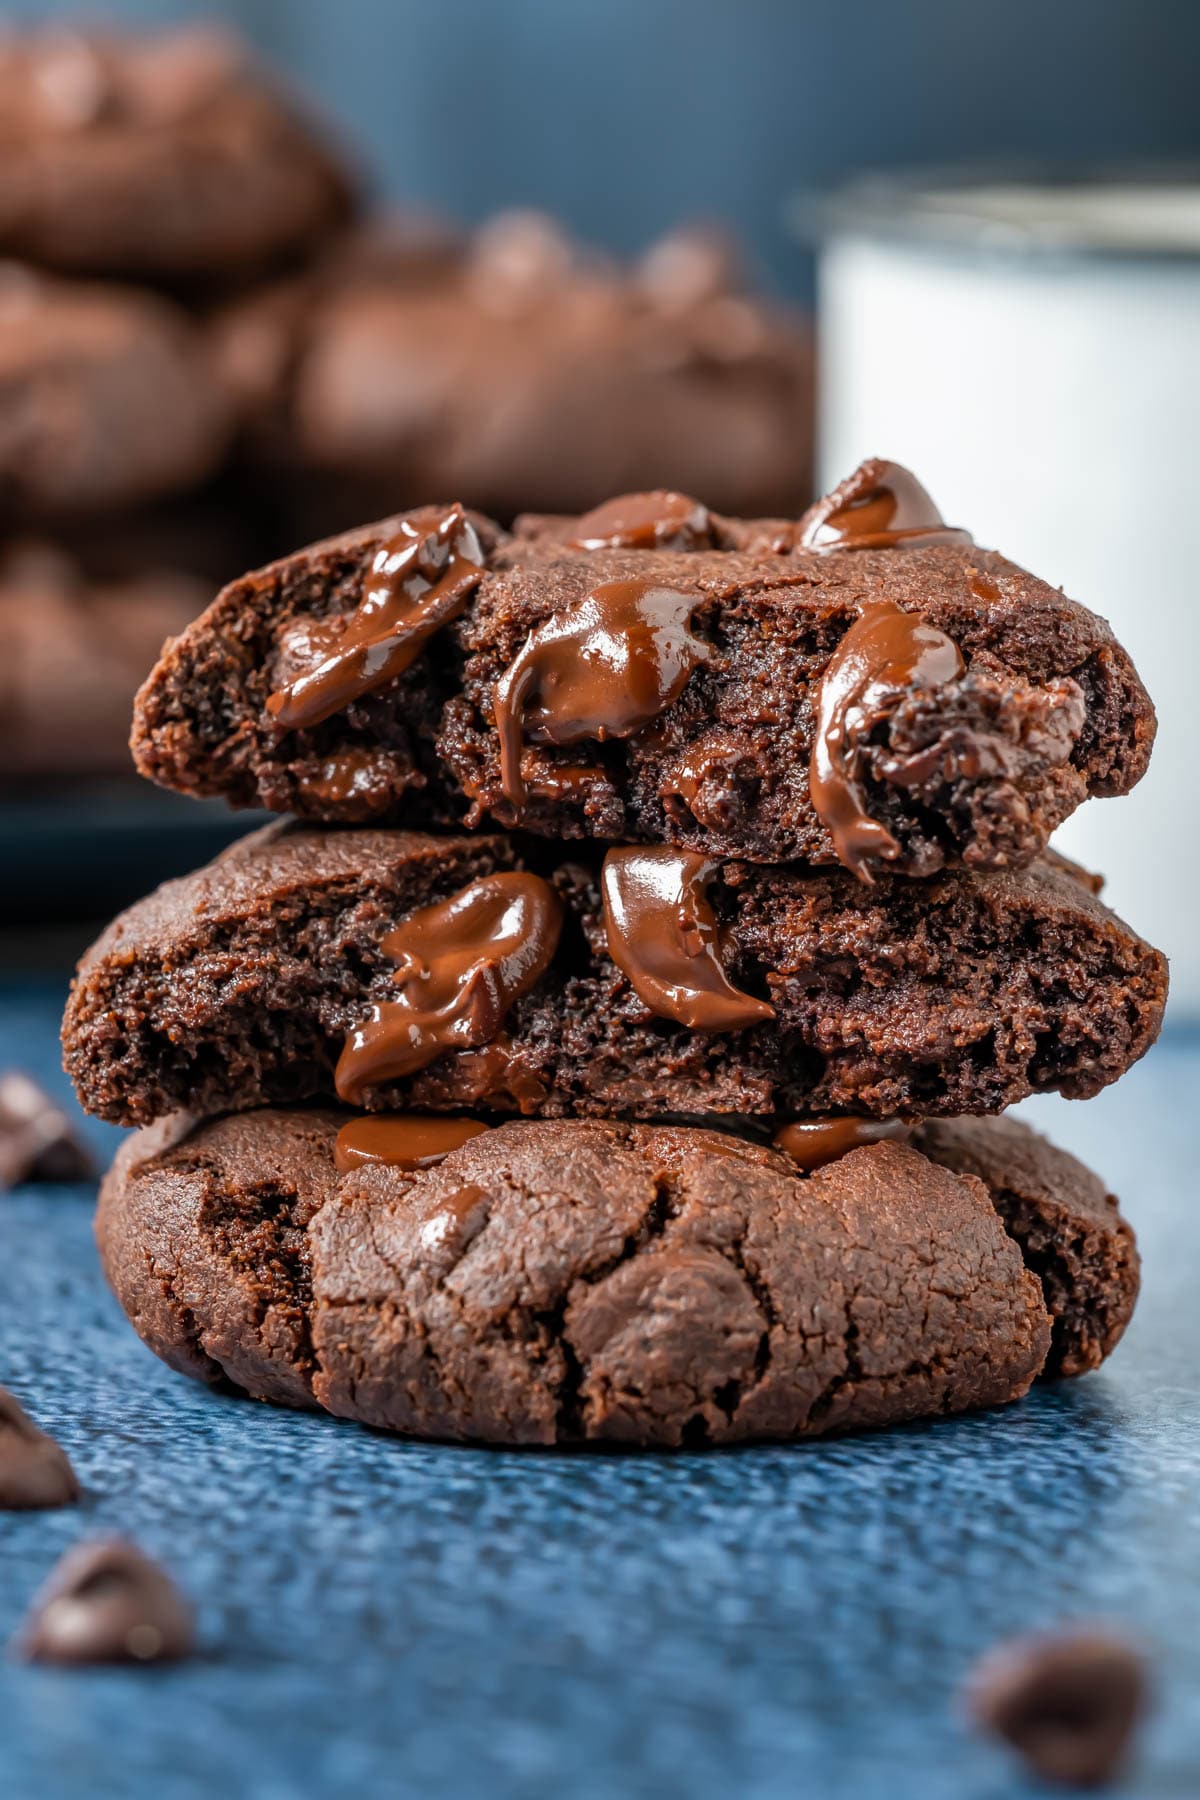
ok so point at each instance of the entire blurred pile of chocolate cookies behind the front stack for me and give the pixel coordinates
(210, 350)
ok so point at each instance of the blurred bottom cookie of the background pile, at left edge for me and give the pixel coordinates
(75, 651)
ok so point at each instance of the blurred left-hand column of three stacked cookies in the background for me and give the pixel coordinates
(141, 177)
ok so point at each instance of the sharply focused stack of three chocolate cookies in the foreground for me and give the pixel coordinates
(613, 1045)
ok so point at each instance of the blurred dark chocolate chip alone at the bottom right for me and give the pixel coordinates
(1068, 1704)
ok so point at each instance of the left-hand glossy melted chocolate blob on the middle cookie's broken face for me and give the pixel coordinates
(463, 964)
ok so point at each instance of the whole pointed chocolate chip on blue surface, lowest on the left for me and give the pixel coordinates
(107, 1603)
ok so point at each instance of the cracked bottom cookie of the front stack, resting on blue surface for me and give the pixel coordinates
(632, 1284)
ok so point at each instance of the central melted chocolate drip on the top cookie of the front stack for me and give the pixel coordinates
(602, 670)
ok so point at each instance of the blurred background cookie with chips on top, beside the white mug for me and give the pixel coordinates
(517, 372)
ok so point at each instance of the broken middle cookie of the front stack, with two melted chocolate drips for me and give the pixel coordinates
(434, 973)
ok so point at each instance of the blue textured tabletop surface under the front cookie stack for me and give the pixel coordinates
(386, 1619)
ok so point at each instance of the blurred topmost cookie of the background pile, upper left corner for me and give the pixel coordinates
(165, 156)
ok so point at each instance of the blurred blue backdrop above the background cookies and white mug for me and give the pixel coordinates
(625, 116)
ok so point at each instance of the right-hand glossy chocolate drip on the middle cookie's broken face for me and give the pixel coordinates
(663, 935)
